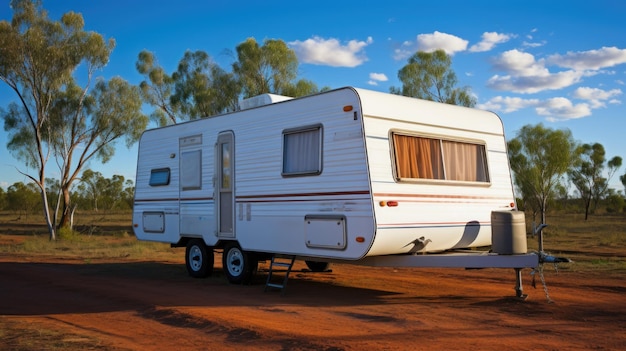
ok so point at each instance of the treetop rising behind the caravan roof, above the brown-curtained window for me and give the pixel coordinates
(429, 76)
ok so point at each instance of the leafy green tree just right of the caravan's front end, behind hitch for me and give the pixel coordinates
(539, 158)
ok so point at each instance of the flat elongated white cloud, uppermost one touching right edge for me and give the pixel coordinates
(590, 60)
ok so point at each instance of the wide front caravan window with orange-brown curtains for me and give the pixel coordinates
(418, 158)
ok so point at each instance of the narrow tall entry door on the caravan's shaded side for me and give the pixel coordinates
(224, 187)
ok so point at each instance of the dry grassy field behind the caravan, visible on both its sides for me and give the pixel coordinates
(596, 244)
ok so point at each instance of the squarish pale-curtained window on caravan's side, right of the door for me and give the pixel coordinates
(302, 151)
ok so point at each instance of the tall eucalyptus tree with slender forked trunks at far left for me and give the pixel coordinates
(56, 118)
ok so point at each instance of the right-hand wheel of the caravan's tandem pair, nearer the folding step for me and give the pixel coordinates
(239, 266)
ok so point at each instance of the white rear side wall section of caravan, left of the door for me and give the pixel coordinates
(174, 178)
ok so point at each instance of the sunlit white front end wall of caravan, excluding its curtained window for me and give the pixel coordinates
(433, 215)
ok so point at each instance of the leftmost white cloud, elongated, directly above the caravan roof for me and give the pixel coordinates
(331, 52)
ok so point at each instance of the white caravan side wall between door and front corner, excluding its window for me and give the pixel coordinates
(318, 214)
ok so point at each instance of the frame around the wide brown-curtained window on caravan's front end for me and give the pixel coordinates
(440, 139)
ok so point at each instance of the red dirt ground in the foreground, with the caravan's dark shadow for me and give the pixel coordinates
(138, 305)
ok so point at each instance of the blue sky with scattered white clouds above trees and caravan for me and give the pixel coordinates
(560, 63)
